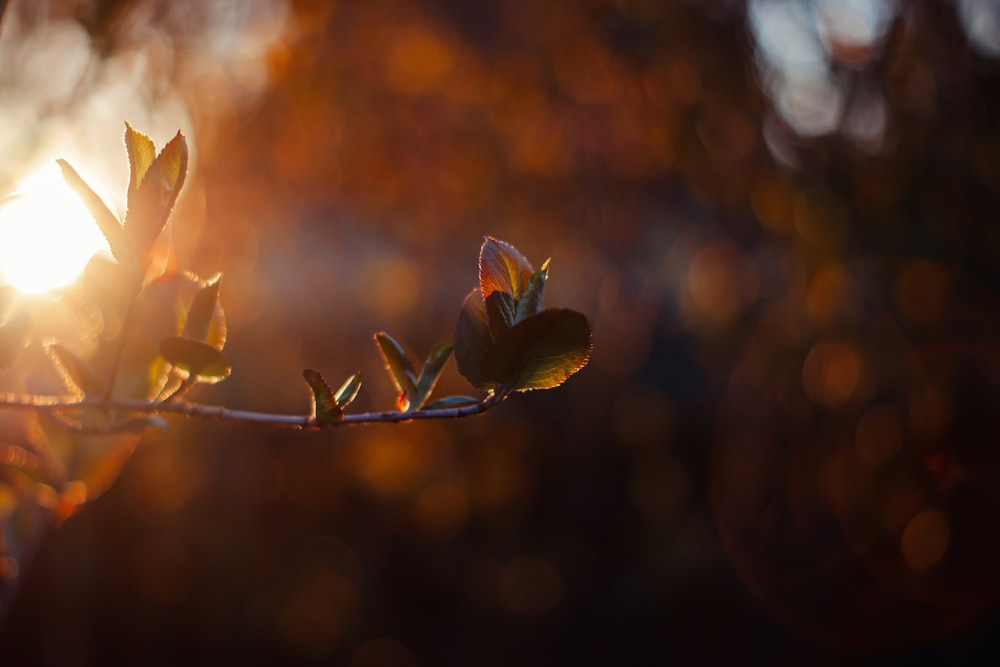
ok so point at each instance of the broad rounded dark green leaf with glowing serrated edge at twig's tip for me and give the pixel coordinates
(539, 352)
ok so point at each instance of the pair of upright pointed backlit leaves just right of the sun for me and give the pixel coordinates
(155, 192)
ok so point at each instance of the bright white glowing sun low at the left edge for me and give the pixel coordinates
(47, 236)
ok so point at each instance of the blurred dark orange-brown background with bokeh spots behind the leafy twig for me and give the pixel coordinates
(780, 217)
